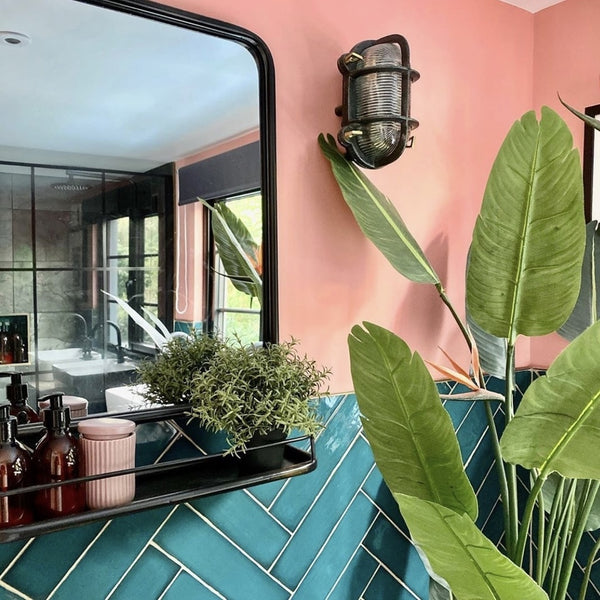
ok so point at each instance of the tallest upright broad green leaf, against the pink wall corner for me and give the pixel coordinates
(525, 261)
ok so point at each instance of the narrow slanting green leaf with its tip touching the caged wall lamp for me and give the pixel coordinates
(378, 218)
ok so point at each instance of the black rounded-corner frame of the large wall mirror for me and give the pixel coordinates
(266, 78)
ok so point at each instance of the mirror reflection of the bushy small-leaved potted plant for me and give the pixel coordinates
(168, 377)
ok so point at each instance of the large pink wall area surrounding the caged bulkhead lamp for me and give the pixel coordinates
(476, 62)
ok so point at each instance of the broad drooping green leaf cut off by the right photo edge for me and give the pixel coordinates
(557, 424)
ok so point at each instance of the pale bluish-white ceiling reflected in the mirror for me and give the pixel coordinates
(99, 88)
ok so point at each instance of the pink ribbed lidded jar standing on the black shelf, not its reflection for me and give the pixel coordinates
(107, 445)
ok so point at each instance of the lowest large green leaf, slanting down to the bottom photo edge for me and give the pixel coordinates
(463, 556)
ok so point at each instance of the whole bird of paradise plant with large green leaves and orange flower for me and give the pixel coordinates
(523, 279)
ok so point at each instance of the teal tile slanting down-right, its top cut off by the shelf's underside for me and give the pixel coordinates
(242, 520)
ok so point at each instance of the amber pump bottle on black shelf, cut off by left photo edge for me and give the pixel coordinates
(15, 468)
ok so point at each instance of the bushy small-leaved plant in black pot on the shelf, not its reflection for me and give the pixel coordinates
(257, 395)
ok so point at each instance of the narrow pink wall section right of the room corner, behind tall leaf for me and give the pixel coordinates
(566, 51)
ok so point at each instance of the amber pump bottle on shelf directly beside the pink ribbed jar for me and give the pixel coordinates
(56, 458)
